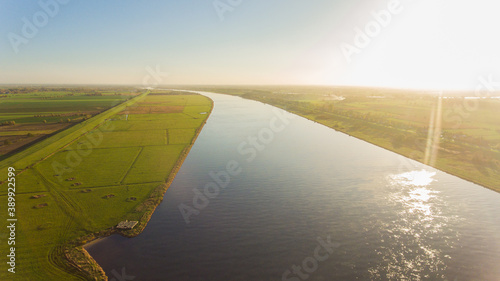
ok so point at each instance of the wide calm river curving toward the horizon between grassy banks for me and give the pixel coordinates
(266, 195)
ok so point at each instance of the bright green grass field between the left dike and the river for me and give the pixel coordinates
(111, 167)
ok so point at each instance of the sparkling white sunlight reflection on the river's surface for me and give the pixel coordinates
(410, 254)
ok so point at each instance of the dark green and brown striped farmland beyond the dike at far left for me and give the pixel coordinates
(31, 115)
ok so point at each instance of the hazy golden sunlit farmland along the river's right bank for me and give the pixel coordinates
(456, 132)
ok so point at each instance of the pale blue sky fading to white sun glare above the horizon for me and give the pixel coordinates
(438, 44)
